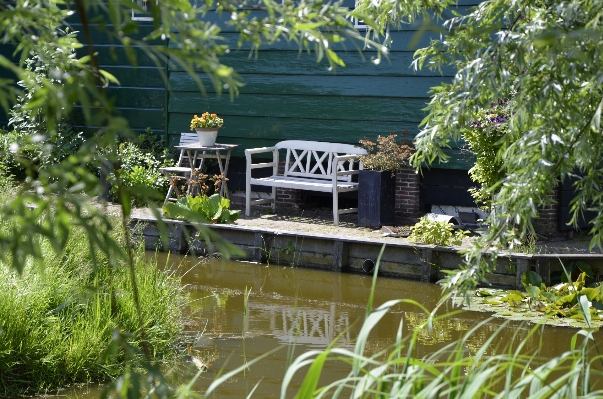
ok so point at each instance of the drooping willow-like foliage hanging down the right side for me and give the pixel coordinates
(546, 56)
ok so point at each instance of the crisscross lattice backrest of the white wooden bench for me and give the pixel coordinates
(314, 159)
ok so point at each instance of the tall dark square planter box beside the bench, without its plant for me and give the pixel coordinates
(376, 198)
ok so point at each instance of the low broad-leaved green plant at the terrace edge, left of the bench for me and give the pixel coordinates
(213, 209)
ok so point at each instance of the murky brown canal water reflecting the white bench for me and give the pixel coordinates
(292, 310)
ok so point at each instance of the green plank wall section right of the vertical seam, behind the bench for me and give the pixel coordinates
(287, 95)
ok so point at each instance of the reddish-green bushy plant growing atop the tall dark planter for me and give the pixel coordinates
(387, 154)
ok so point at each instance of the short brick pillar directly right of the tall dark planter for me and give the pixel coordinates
(407, 196)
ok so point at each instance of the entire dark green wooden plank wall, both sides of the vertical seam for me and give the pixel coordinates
(287, 94)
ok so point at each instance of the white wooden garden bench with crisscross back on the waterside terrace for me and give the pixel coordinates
(309, 165)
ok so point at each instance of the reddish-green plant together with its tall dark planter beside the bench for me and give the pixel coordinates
(377, 179)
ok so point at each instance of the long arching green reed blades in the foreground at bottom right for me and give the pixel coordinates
(450, 372)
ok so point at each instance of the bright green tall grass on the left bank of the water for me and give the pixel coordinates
(57, 319)
